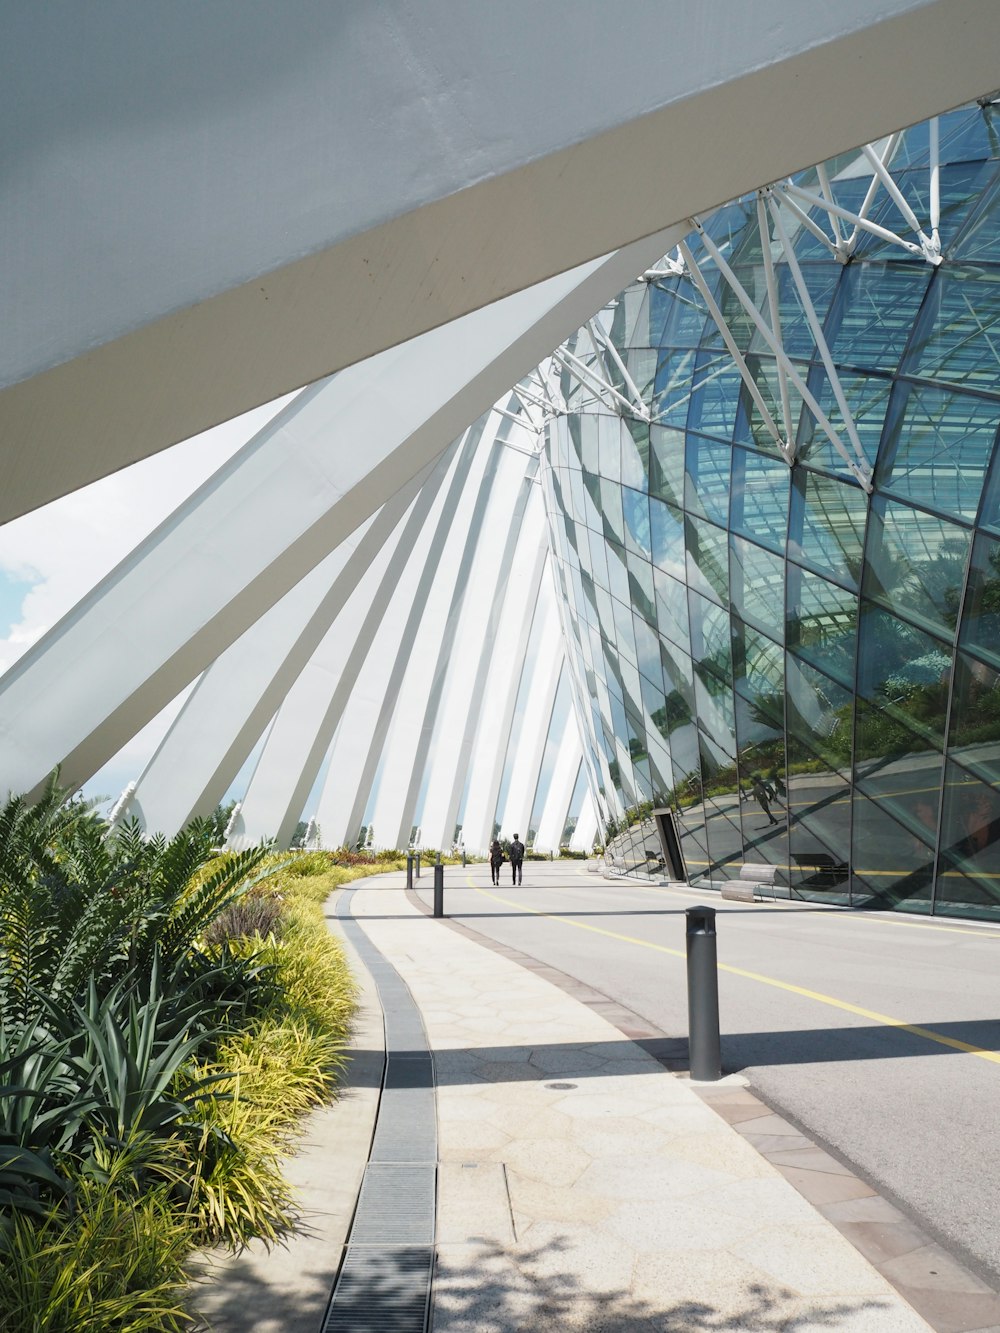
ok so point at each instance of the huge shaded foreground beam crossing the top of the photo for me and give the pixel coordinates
(214, 205)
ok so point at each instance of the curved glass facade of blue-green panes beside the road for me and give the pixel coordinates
(805, 675)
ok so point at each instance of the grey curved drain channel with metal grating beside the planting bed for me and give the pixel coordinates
(385, 1282)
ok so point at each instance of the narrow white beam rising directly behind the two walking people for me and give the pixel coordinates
(531, 732)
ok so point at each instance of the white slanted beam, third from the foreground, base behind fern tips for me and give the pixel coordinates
(234, 700)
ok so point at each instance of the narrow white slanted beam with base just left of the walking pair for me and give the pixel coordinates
(493, 735)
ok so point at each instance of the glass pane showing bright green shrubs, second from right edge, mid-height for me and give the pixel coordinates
(905, 672)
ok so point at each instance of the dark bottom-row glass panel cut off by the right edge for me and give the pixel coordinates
(971, 846)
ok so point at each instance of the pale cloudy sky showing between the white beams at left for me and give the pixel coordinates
(55, 555)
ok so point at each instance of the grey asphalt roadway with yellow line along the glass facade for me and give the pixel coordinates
(878, 1034)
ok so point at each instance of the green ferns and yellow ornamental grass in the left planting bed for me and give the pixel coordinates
(167, 1018)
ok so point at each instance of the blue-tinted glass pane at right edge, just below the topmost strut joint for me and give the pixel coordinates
(957, 339)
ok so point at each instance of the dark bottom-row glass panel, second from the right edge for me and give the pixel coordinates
(893, 867)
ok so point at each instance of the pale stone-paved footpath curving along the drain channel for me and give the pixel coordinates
(581, 1186)
